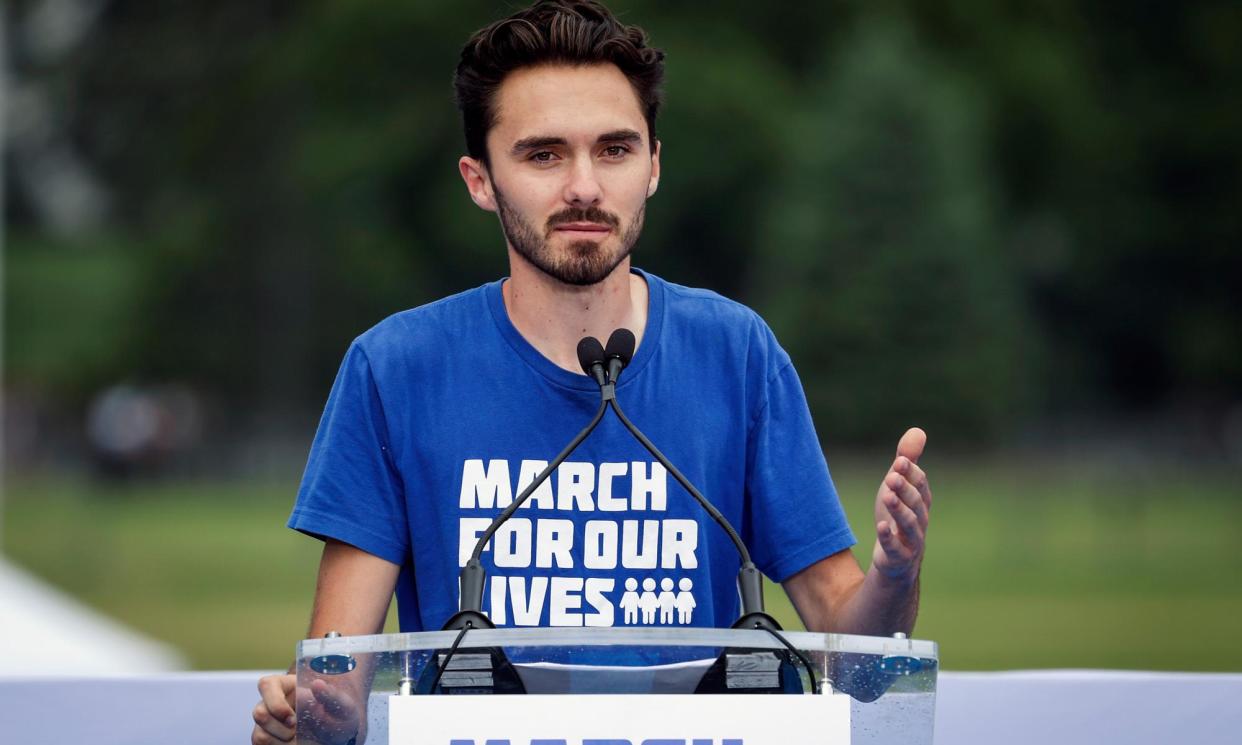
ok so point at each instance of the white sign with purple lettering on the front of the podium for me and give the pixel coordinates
(681, 720)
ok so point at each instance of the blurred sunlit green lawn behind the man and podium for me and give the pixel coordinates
(1030, 566)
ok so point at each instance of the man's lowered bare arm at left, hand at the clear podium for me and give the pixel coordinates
(352, 597)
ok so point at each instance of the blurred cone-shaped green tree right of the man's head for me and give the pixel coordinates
(880, 255)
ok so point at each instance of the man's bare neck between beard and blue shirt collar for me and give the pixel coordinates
(553, 316)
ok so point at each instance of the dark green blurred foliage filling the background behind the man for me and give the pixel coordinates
(1017, 225)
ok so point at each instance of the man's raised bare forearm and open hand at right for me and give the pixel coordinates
(833, 595)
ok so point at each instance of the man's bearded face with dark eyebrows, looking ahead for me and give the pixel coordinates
(571, 169)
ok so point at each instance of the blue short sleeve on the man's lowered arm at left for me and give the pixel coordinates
(351, 491)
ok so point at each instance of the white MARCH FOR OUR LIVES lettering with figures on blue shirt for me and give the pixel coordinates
(607, 546)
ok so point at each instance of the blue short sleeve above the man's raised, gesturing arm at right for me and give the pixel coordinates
(796, 515)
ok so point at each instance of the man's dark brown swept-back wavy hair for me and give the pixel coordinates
(552, 32)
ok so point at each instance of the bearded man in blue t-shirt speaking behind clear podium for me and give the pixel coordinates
(442, 415)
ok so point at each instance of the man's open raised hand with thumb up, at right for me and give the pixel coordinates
(902, 507)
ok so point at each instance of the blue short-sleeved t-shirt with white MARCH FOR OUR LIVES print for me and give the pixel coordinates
(443, 415)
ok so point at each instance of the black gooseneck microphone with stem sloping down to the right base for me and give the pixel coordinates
(619, 353)
